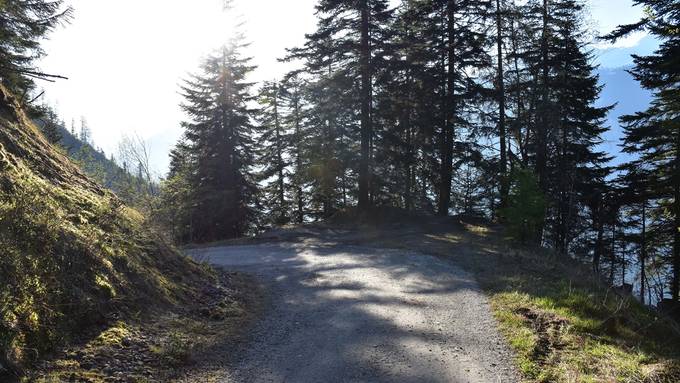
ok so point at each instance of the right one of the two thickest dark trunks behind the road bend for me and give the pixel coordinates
(450, 106)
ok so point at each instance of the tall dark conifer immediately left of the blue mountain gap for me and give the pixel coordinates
(576, 173)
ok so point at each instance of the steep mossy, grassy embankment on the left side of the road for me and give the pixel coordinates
(71, 254)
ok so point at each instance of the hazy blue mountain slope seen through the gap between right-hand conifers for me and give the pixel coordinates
(620, 88)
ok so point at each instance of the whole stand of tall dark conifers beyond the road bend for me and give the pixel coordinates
(476, 107)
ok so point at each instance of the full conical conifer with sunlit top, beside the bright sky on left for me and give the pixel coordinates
(219, 135)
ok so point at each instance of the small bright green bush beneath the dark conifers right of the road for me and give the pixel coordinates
(525, 212)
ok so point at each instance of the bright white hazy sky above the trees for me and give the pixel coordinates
(126, 58)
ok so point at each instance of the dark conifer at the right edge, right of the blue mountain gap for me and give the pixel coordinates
(654, 134)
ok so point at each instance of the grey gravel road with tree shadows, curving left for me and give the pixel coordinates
(341, 313)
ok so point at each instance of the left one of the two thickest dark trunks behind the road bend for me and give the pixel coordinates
(366, 128)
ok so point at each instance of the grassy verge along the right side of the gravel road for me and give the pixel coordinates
(564, 324)
